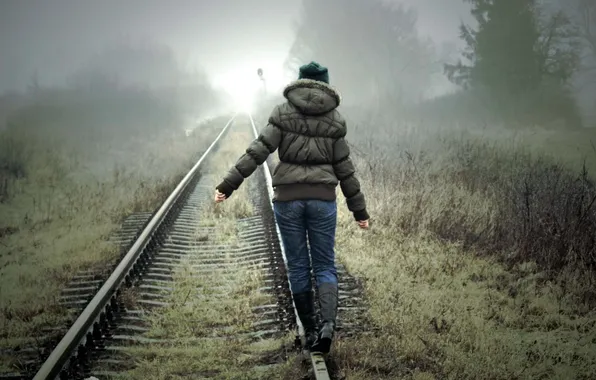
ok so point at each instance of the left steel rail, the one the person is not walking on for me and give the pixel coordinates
(78, 332)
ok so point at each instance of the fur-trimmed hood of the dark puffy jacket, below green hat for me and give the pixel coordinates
(312, 97)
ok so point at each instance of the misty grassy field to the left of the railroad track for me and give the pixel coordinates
(58, 205)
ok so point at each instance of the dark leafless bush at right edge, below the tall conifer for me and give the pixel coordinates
(543, 212)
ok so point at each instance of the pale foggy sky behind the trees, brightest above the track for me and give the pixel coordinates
(45, 42)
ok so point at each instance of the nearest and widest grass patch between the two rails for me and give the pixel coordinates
(208, 319)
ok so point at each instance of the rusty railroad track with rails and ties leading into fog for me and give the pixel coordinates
(155, 247)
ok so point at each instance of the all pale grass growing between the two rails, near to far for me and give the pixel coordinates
(209, 316)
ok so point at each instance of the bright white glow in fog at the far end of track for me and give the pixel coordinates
(245, 87)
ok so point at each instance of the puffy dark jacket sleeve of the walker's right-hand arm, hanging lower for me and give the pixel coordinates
(346, 174)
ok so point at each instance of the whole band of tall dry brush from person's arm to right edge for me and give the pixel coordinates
(488, 195)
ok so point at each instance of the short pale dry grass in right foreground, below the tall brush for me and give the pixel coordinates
(454, 315)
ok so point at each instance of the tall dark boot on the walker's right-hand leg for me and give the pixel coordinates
(328, 301)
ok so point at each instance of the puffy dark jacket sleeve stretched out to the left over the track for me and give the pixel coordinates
(257, 152)
